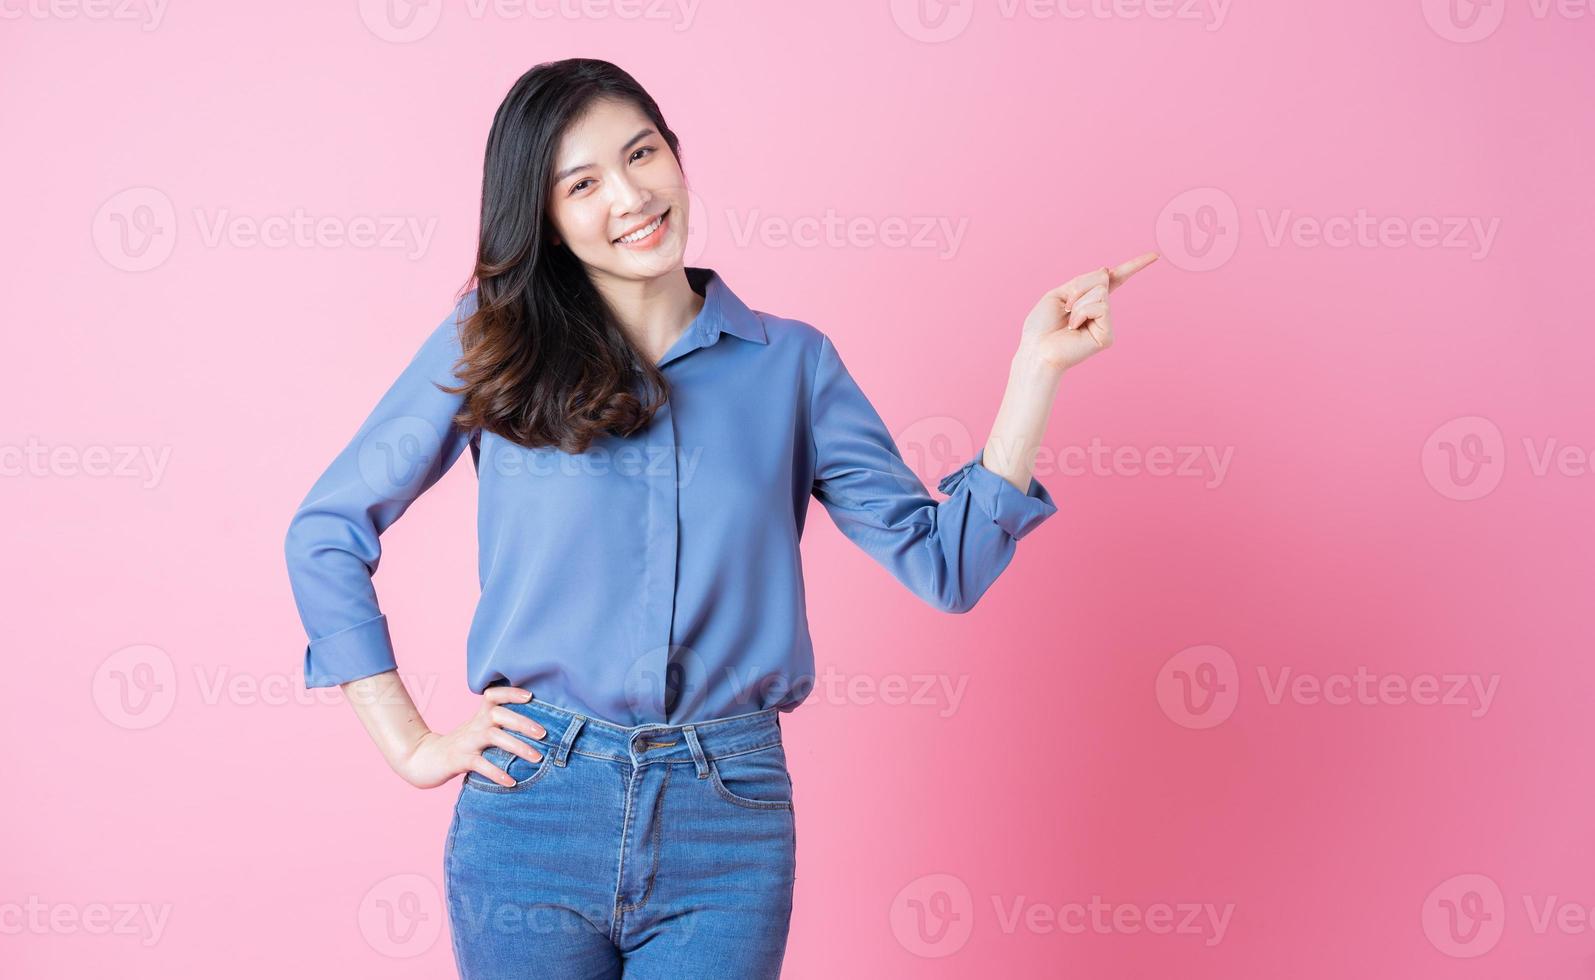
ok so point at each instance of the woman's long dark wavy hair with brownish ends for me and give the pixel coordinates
(545, 362)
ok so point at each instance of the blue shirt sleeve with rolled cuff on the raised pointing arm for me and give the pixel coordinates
(947, 553)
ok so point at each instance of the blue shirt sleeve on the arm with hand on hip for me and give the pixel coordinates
(334, 540)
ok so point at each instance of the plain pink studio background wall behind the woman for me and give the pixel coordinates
(1117, 727)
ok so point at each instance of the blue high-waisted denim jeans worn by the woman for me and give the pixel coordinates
(642, 853)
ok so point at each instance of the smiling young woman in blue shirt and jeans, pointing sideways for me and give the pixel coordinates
(647, 446)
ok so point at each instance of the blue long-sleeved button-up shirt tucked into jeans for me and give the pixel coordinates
(655, 579)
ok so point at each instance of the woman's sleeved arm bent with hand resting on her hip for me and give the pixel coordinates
(334, 548)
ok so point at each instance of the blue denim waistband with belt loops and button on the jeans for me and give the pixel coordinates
(696, 743)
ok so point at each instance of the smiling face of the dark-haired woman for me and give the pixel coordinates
(615, 175)
